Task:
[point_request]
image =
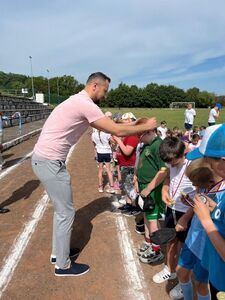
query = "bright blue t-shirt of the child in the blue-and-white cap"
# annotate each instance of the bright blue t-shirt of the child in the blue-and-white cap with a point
(211, 259)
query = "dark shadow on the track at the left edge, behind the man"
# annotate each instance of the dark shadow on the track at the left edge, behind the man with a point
(23, 192)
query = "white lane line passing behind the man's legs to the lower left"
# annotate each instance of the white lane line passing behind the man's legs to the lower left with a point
(22, 240)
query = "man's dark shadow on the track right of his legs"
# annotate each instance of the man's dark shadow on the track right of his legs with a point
(82, 226)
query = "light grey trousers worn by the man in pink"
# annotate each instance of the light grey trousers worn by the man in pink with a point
(56, 181)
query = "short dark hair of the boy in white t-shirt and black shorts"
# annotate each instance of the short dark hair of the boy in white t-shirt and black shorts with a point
(171, 148)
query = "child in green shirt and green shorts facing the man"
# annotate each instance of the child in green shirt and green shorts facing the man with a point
(150, 174)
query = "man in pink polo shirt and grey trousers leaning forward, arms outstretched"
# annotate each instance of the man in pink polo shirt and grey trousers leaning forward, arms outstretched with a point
(63, 128)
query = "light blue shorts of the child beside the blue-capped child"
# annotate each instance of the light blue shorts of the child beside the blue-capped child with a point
(189, 261)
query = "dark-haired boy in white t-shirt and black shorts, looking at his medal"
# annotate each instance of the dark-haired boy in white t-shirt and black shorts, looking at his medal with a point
(172, 151)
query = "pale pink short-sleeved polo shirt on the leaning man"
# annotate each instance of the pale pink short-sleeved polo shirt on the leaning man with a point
(65, 126)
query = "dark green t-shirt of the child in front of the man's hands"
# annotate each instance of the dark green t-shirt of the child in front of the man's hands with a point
(149, 161)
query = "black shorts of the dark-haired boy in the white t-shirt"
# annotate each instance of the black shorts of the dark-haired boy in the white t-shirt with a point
(170, 223)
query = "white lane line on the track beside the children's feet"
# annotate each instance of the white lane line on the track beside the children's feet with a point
(135, 277)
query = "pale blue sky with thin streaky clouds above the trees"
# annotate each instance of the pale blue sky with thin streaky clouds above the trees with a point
(170, 42)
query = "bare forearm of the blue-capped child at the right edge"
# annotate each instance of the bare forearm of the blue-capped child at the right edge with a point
(203, 213)
